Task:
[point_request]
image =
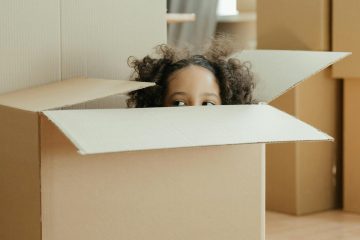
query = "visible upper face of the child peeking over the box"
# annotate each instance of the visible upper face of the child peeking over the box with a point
(192, 86)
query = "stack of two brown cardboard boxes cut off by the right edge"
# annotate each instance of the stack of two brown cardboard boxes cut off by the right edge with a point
(346, 37)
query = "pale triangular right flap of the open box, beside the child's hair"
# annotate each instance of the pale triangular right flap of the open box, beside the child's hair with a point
(277, 71)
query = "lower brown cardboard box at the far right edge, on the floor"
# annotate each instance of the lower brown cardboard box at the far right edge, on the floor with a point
(351, 145)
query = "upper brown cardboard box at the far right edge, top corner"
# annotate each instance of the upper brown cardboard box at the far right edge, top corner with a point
(346, 36)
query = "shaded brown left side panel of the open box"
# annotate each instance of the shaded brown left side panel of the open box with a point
(19, 175)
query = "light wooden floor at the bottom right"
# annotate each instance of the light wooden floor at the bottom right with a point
(332, 225)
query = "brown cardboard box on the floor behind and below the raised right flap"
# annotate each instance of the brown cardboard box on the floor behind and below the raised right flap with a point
(309, 179)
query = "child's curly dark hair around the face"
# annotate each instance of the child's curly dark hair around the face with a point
(234, 78)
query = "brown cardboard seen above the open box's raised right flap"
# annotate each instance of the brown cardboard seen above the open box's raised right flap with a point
(297, 24)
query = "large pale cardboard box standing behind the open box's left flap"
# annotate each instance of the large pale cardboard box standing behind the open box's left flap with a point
(43, 41)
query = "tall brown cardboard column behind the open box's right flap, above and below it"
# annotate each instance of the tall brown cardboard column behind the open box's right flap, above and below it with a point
(301, 177)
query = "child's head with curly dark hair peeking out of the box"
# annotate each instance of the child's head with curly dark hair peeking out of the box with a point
(188, 80)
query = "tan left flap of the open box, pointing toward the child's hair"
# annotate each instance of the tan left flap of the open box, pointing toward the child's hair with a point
(67, 93)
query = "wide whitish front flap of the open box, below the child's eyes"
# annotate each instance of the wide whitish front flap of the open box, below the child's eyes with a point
(116, 130)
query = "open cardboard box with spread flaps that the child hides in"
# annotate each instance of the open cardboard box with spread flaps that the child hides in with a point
(155, 173)
